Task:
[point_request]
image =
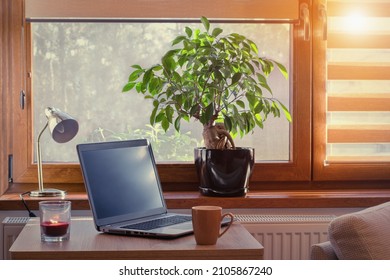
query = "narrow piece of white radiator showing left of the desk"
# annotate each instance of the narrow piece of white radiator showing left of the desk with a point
(11, 228)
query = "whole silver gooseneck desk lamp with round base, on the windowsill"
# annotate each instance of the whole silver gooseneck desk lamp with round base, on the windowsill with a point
(62, 129)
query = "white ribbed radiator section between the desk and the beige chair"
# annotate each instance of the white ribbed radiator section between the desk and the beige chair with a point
(287, 237)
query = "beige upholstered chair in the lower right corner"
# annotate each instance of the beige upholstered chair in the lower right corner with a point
(363, 235)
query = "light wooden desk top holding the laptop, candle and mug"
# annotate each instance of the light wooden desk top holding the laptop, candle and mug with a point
(86, 243)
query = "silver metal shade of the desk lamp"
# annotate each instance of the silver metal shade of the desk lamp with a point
(61, 125)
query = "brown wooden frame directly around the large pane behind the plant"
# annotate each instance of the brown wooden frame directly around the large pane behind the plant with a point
(297, 169)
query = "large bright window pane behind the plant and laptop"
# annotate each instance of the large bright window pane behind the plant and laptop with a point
(81, 68)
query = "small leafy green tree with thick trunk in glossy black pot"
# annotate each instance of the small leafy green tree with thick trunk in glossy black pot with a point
(221, 81)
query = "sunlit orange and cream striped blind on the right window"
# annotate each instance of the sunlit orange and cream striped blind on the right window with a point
(358, 81)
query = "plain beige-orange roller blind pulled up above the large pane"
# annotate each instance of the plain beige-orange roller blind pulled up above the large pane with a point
(161, 9)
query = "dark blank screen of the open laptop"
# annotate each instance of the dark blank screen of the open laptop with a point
(121, 179)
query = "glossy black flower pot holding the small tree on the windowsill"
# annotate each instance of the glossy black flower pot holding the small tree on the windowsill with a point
(224, 172)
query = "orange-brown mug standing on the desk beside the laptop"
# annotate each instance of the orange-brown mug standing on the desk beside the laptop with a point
(206, 221)
